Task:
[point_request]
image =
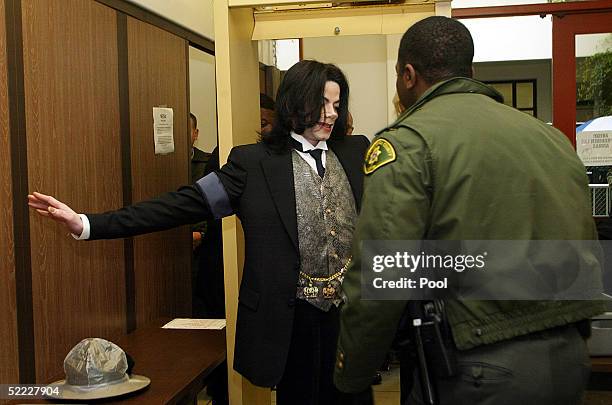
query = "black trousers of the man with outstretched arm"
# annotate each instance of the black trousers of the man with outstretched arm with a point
(308, 376)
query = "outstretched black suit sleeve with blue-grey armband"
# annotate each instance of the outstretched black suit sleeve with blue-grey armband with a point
(211, 197)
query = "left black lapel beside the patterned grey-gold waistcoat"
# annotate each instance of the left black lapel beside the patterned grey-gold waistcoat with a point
(278, 171)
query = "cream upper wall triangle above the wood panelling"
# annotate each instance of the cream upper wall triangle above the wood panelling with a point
(196, 15)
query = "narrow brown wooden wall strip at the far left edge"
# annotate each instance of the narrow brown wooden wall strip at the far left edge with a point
(9, 364)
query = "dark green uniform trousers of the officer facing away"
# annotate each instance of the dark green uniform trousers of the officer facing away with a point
(550, 367)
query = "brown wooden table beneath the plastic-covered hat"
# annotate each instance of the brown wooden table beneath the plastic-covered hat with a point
(178, 362)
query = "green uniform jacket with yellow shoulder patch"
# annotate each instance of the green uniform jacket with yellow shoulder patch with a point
(460, 165)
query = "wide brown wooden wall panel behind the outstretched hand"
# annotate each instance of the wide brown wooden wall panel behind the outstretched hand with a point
(72, 123)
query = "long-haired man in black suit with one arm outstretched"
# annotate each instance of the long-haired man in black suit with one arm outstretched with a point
(297, 193)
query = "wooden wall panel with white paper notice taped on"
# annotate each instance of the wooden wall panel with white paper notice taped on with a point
(157, 71)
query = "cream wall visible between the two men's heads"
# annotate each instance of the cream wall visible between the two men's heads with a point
(363, 61)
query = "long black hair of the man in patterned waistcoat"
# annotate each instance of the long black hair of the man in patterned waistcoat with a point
(300, 99)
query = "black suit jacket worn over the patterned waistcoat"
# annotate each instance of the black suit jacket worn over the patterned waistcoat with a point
(259, 185)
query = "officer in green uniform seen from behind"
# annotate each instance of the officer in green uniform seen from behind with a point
(460, 165)
